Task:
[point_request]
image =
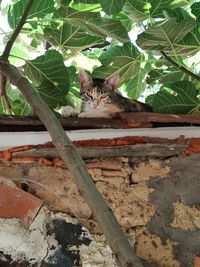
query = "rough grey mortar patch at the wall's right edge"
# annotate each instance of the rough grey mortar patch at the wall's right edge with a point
(181, 184)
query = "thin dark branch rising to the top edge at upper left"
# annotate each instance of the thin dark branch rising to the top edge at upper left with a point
(17, 30)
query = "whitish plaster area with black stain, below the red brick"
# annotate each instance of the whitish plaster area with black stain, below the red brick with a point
(53, 240)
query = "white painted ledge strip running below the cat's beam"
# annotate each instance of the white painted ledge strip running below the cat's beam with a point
(13, 139)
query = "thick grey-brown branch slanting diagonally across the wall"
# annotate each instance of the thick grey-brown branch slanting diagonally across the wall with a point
(114, 234)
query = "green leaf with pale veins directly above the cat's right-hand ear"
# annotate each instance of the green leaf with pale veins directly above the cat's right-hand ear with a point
(124, 60)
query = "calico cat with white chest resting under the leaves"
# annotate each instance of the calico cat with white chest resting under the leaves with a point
(100, 99)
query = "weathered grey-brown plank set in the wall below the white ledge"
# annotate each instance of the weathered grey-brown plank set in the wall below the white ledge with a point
(138, 150)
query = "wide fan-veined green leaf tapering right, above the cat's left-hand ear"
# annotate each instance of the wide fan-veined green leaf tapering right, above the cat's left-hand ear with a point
(70, 37)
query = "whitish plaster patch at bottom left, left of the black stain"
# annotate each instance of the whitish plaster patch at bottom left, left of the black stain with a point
(30, 245)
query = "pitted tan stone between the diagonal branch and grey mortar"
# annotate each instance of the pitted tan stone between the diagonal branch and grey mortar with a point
(131, 208)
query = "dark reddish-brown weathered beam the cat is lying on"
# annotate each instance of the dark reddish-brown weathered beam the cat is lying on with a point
(124, 120)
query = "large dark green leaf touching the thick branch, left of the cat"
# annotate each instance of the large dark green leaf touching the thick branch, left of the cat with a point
(50, 77)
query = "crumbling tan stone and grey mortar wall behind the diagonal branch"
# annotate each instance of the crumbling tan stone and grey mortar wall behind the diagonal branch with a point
(155, 200)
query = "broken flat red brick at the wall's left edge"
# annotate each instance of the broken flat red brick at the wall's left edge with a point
(16, 203)
